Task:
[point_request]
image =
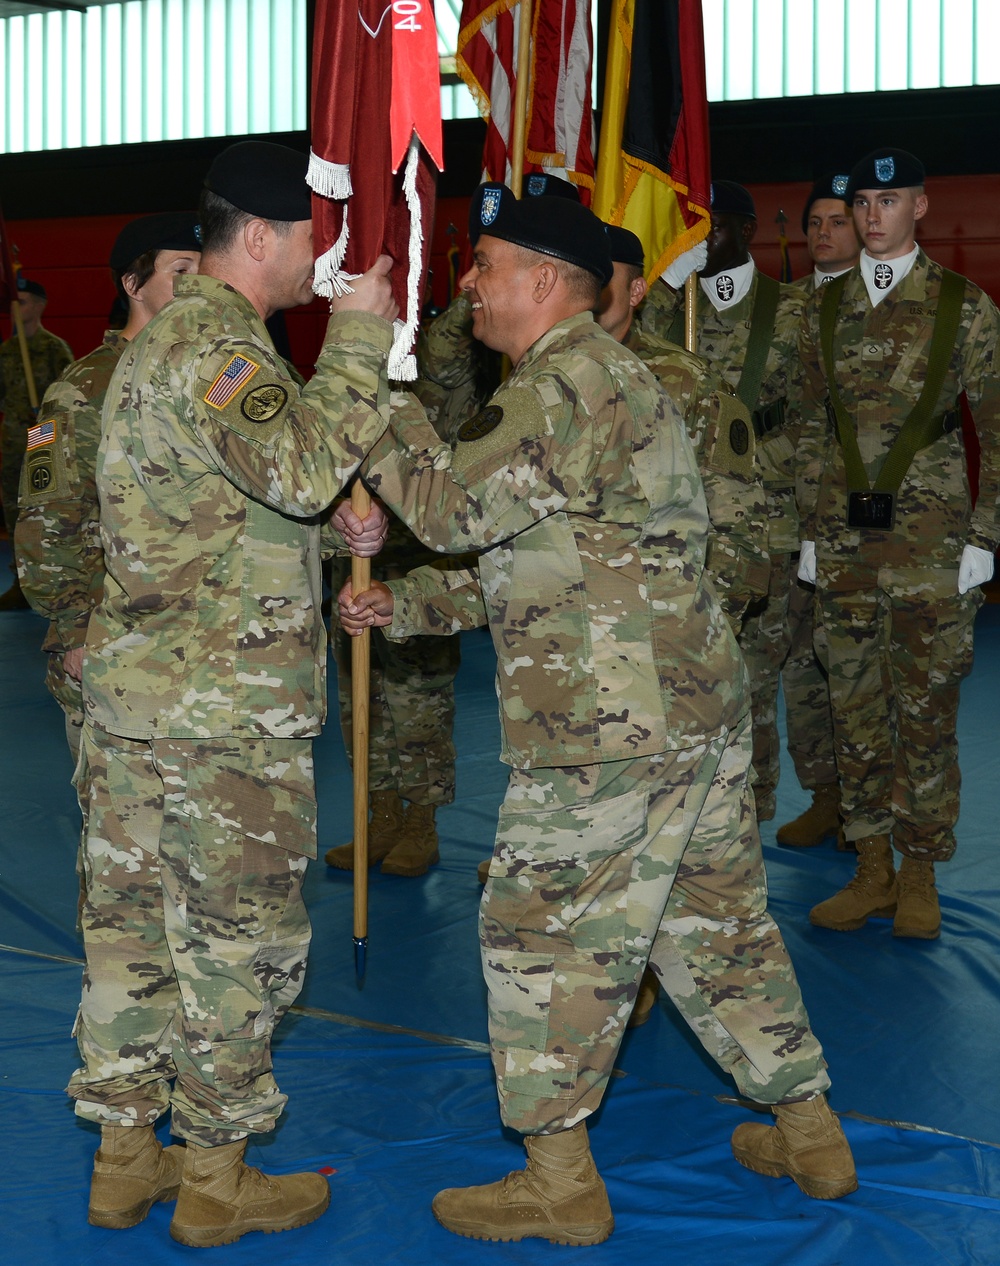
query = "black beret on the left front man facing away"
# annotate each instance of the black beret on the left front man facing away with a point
(263, 179)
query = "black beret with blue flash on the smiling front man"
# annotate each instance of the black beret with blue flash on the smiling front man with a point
(551, 226)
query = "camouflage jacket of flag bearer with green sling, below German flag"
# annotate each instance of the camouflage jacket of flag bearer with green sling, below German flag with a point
(722, 340)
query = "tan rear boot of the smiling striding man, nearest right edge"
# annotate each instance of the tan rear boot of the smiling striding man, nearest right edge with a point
(806, 1145)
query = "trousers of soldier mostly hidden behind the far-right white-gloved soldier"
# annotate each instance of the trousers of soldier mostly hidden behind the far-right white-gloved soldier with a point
(808, 718)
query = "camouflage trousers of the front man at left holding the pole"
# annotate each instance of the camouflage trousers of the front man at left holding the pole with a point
(194, 927)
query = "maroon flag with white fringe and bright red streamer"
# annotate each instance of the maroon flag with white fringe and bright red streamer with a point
(377, 110)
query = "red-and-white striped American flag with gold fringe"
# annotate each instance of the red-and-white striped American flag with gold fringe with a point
(559, 127)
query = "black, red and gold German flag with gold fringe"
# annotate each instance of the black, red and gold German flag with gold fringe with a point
(654, 168)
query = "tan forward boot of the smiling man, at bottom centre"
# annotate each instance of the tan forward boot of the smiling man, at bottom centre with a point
(560, 1197)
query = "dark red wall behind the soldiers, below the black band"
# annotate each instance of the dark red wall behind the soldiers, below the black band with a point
(68, 256)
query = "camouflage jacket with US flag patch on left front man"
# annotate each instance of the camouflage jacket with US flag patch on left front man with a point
(213, 470)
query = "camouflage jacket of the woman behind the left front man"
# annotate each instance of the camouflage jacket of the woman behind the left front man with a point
(60, 556)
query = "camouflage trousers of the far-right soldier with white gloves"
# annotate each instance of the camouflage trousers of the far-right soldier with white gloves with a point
(897, 656)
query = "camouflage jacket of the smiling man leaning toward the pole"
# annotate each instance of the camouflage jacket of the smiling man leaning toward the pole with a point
(579, 486)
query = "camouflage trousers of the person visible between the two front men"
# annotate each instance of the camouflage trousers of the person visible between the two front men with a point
(411, 717)
